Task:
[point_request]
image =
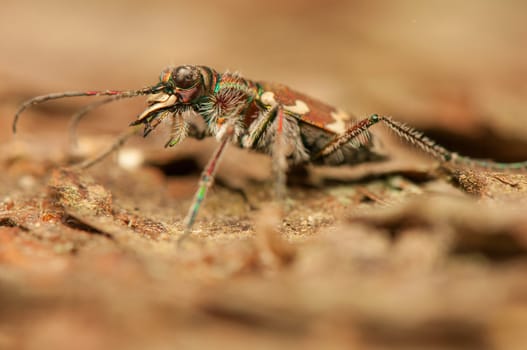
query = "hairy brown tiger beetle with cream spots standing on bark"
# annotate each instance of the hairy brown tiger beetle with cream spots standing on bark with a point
(266, 117)
